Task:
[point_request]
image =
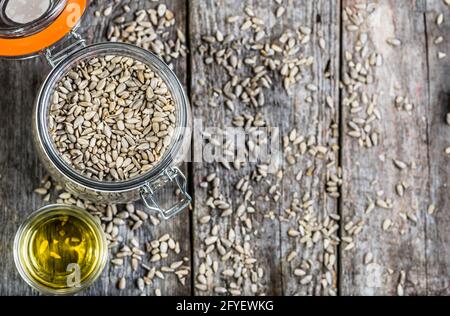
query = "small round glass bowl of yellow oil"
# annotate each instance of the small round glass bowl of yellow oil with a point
(55, 263)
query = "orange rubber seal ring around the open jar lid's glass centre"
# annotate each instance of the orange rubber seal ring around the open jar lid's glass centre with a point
(35, 40)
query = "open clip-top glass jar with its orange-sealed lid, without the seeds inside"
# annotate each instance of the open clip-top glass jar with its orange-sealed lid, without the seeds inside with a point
(62, 56)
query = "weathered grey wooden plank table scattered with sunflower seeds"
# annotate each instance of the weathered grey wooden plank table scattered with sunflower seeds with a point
(418, 243)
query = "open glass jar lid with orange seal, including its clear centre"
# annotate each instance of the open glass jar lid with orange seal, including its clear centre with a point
(29, 26)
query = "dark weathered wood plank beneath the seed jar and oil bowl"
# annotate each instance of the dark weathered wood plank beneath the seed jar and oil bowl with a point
(21, 171)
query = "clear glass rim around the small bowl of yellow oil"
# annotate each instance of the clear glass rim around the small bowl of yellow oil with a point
(77, 212)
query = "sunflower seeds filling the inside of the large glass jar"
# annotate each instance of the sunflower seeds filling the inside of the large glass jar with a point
(112, 118)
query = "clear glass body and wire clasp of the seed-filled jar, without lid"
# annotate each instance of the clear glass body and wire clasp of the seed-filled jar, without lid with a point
(145, 186)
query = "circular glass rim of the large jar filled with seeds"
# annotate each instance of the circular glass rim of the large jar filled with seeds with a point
(121, 49)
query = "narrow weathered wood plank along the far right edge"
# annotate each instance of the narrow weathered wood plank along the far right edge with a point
(437, 225)
